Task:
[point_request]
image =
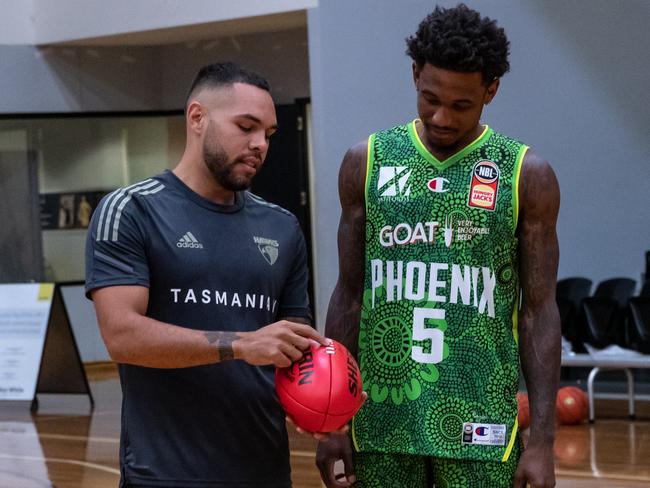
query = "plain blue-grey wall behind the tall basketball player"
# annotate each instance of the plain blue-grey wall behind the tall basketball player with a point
(577, 93)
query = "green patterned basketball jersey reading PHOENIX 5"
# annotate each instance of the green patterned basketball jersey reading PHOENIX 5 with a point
(438, 333)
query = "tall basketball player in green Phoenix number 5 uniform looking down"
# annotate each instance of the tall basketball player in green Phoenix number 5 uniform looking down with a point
(448, 258)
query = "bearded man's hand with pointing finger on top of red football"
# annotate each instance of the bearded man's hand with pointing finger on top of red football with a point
(280, 343)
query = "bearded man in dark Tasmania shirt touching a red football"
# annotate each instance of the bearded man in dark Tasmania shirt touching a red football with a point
(200, 288)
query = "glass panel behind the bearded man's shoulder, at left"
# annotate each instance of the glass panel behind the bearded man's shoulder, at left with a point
(79, 160)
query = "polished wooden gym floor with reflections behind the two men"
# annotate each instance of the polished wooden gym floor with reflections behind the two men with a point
(64, 446)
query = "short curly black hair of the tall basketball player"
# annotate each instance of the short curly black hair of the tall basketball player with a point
(459, 39)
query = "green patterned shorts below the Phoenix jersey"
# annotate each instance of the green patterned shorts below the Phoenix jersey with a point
(380, 470)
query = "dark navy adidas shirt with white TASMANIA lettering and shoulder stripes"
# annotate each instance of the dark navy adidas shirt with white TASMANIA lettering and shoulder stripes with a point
(207, 267)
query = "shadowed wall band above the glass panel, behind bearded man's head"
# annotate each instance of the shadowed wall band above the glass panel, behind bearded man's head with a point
(136, 78)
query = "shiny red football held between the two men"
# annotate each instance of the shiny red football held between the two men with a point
(322, 391)
